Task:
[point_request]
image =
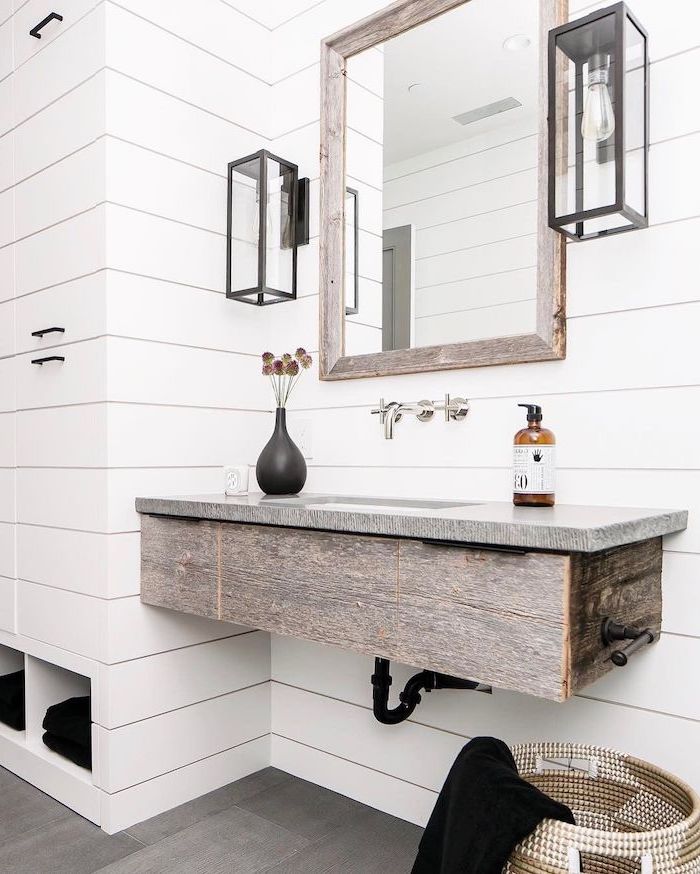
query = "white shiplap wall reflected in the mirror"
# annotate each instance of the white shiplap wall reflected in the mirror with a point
(473, 205)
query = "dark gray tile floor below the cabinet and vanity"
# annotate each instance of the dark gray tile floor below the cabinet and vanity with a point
(268, 822)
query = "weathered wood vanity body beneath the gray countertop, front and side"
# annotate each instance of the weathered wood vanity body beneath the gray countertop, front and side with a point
(530, 622)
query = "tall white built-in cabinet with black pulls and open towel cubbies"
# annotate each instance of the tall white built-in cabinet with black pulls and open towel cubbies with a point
(180, 705)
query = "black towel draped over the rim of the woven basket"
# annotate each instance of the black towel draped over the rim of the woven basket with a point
(483, 811)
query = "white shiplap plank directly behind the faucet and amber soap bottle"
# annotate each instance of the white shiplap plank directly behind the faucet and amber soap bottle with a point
(341, 433)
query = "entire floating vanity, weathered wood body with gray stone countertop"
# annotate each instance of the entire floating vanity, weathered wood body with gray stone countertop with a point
(512, 597)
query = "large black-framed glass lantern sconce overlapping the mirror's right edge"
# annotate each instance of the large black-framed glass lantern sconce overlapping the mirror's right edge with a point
(598, 116)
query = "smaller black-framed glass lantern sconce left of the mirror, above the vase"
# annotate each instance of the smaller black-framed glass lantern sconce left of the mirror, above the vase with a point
(268, 219)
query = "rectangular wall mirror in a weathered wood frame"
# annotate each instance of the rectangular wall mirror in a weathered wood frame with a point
(433, 114)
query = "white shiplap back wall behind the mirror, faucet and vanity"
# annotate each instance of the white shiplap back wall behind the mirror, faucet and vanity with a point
(624, 408)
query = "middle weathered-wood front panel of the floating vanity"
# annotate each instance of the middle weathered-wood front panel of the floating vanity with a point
(333, 588)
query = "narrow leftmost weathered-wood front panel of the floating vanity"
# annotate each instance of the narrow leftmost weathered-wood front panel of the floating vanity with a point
(179, 565)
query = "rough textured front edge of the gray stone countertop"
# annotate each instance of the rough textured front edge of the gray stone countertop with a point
(530, 534)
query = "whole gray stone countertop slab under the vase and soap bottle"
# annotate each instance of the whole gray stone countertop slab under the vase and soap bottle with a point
(566, 527)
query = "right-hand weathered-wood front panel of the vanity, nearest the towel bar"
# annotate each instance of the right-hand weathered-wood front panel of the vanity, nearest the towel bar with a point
(490, 616)
